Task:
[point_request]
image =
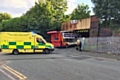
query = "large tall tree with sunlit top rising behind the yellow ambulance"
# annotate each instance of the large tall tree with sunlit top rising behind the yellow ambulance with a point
(46, 15)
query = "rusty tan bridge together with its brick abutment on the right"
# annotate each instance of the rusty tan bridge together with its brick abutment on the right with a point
(88, 27)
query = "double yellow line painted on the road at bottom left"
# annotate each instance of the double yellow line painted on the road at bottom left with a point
(15, 73)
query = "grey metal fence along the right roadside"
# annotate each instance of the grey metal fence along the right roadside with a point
(103, 44)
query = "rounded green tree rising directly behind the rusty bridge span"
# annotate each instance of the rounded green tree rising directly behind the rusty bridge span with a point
(82, 11)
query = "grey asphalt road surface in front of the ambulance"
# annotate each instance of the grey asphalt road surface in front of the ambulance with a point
(63, 64)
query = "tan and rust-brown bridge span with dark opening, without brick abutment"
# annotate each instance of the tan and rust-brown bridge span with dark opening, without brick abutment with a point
(79, 27)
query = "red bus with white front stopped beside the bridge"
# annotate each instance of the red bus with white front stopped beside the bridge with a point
(62, 38)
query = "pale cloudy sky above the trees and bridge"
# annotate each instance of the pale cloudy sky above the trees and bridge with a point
(18, 7)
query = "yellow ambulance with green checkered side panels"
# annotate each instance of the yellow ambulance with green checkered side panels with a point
(22, 42)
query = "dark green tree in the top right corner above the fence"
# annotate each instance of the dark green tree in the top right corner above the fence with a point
(108, 11)
